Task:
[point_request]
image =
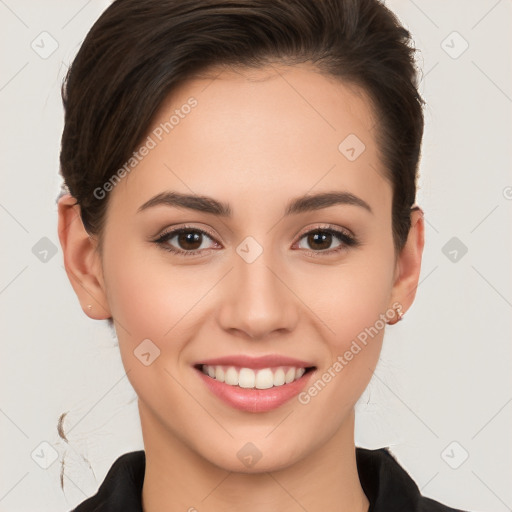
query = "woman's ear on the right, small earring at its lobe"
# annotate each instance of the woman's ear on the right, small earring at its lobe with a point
(408, 263)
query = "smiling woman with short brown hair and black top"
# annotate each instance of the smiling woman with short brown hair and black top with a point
(241, 180)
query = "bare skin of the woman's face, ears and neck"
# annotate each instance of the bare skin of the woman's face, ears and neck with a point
(255, 140)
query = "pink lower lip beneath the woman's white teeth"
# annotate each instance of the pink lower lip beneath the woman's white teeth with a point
(255, 400)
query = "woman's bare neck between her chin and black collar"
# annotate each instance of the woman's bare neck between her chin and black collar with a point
(179, 479)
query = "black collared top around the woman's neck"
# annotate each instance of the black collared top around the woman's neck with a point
(388, 487)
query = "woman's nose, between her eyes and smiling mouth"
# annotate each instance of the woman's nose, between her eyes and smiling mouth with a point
(257, 300)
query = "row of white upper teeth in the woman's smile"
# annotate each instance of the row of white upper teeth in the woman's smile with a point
(248, 378)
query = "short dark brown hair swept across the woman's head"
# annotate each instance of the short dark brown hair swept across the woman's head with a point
(138, 51)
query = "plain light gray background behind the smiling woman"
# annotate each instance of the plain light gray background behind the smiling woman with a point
(444, 375)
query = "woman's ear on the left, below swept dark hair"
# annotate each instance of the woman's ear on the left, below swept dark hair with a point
(82, 260)
